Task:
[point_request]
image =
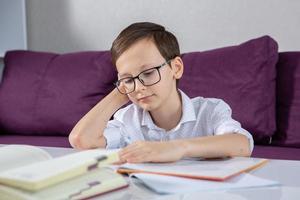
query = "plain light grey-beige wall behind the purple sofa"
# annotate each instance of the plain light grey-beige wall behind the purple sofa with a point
(75, 25)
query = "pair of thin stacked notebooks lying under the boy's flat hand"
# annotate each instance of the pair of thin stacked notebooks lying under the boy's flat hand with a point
(203, 175)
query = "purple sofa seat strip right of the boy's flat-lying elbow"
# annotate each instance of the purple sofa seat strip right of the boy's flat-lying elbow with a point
(276, 152)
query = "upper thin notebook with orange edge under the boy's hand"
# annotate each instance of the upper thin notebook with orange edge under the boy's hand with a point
(215, 170)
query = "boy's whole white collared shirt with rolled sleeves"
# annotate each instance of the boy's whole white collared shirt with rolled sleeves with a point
(201, 117)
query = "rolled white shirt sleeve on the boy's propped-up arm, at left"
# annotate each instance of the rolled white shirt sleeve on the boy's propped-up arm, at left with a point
(113, 134)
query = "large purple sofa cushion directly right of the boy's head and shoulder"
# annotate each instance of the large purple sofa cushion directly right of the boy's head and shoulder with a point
(243, 76)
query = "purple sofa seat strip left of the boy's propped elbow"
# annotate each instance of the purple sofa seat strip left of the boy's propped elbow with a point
(49, 141)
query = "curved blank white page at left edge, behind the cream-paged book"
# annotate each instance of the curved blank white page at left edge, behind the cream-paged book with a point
(13, 156)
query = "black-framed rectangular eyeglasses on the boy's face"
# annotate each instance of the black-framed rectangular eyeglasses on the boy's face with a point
(147, 77)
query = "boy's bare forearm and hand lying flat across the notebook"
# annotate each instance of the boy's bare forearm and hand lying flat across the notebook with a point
(231, 144)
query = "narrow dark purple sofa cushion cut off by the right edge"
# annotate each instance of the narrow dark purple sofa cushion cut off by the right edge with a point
(288, 100)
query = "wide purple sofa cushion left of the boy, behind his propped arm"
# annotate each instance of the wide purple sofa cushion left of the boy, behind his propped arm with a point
(46, 93)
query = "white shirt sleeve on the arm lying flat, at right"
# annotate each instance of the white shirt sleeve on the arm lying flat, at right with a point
(223, 123)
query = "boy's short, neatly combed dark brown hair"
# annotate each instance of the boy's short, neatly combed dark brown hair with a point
(165, 41)
